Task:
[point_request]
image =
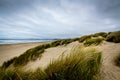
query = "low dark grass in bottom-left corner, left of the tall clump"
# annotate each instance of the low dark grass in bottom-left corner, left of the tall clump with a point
(16, 74)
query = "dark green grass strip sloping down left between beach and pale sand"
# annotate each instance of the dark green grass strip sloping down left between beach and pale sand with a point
(30, 55)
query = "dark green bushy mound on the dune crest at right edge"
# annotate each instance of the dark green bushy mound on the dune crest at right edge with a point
(113, 37)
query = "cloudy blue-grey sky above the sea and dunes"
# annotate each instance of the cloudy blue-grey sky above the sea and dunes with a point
(22, 19)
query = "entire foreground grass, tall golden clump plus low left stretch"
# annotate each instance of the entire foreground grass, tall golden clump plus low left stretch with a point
(81, 64)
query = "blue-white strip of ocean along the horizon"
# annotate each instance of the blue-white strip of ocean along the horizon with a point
(15, 41)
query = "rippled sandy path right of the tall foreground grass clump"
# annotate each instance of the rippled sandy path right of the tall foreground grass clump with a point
(109, 70)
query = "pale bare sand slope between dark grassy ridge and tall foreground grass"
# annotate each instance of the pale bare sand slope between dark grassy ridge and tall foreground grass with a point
(51, 54)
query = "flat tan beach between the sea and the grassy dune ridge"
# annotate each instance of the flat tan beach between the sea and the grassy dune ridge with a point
(9, 51)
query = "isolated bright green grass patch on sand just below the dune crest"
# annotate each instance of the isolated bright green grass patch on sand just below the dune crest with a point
(93, 41)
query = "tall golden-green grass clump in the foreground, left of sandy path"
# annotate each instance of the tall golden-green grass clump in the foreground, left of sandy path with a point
(79, 65)
